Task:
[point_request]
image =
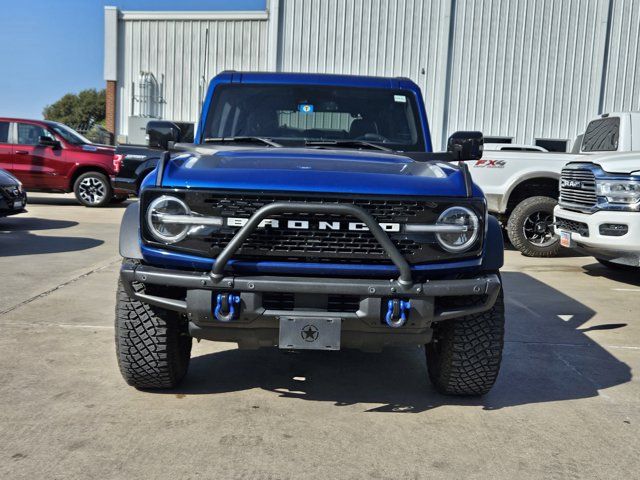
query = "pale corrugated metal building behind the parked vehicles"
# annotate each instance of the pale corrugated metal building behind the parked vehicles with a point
(525, 71)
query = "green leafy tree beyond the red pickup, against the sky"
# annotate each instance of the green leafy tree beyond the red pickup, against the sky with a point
(76, 110)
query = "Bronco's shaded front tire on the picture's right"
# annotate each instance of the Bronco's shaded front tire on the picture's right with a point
(464, 355)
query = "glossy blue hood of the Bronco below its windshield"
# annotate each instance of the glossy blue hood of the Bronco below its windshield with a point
(312, 170)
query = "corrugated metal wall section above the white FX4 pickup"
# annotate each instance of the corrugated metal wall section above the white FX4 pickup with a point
(526, 68)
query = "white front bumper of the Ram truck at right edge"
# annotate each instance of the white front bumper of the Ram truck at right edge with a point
(621, 249)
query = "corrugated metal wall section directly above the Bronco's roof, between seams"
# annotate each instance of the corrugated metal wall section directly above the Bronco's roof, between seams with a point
(405, 38)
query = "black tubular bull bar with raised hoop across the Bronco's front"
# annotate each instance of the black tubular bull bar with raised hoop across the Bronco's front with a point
(487, 285)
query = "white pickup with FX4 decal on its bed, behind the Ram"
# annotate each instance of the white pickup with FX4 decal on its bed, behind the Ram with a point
(521, 184)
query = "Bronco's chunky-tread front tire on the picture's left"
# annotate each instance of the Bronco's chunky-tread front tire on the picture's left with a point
(152, 345)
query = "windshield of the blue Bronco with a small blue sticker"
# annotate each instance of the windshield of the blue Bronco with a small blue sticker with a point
(295, 114)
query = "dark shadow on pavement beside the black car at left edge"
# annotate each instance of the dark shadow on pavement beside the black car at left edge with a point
(16, 238)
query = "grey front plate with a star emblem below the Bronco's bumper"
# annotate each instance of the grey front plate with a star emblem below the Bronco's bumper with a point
(310, 333)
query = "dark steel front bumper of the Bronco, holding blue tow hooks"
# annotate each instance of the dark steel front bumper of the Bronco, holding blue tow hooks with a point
(193, 294)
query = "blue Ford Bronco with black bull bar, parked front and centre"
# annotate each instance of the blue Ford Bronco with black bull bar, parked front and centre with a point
(311, 213)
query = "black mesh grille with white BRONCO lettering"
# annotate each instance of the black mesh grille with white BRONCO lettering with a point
(313, 244)
